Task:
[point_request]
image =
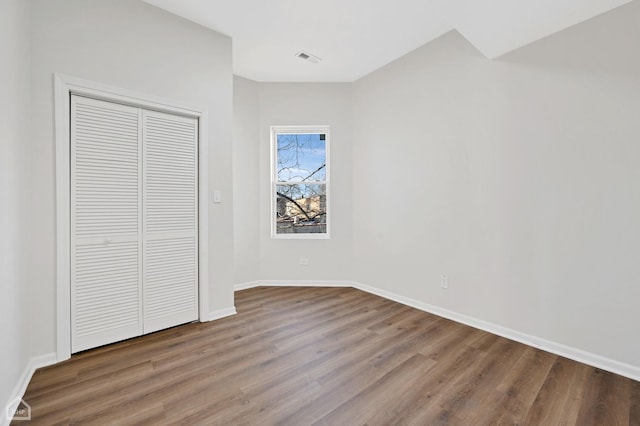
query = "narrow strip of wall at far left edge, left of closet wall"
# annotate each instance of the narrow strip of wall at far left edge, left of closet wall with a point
(14, 190)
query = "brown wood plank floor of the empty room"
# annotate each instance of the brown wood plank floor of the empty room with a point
(327, 356)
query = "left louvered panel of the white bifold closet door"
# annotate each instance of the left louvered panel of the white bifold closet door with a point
(105, 223)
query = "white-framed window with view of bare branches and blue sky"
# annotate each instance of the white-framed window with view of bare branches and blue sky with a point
(300, 182)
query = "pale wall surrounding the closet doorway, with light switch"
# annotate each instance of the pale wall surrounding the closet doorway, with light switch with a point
(132, 45)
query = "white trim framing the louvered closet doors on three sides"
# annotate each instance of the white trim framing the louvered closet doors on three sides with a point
(64, 86)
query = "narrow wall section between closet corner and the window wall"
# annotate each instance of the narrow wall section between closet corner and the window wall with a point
(246, 164)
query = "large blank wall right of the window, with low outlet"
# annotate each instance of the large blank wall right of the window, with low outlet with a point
(518, 178)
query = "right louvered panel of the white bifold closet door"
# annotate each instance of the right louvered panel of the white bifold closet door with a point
(170, 220)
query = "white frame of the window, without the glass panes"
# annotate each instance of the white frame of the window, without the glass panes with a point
(275, 131)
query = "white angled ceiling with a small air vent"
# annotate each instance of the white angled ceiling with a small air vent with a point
(356, 37)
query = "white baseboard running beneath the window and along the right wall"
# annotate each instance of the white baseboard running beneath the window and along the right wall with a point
(594, 360)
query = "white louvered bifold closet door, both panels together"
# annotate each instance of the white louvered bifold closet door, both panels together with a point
(133, 221)
